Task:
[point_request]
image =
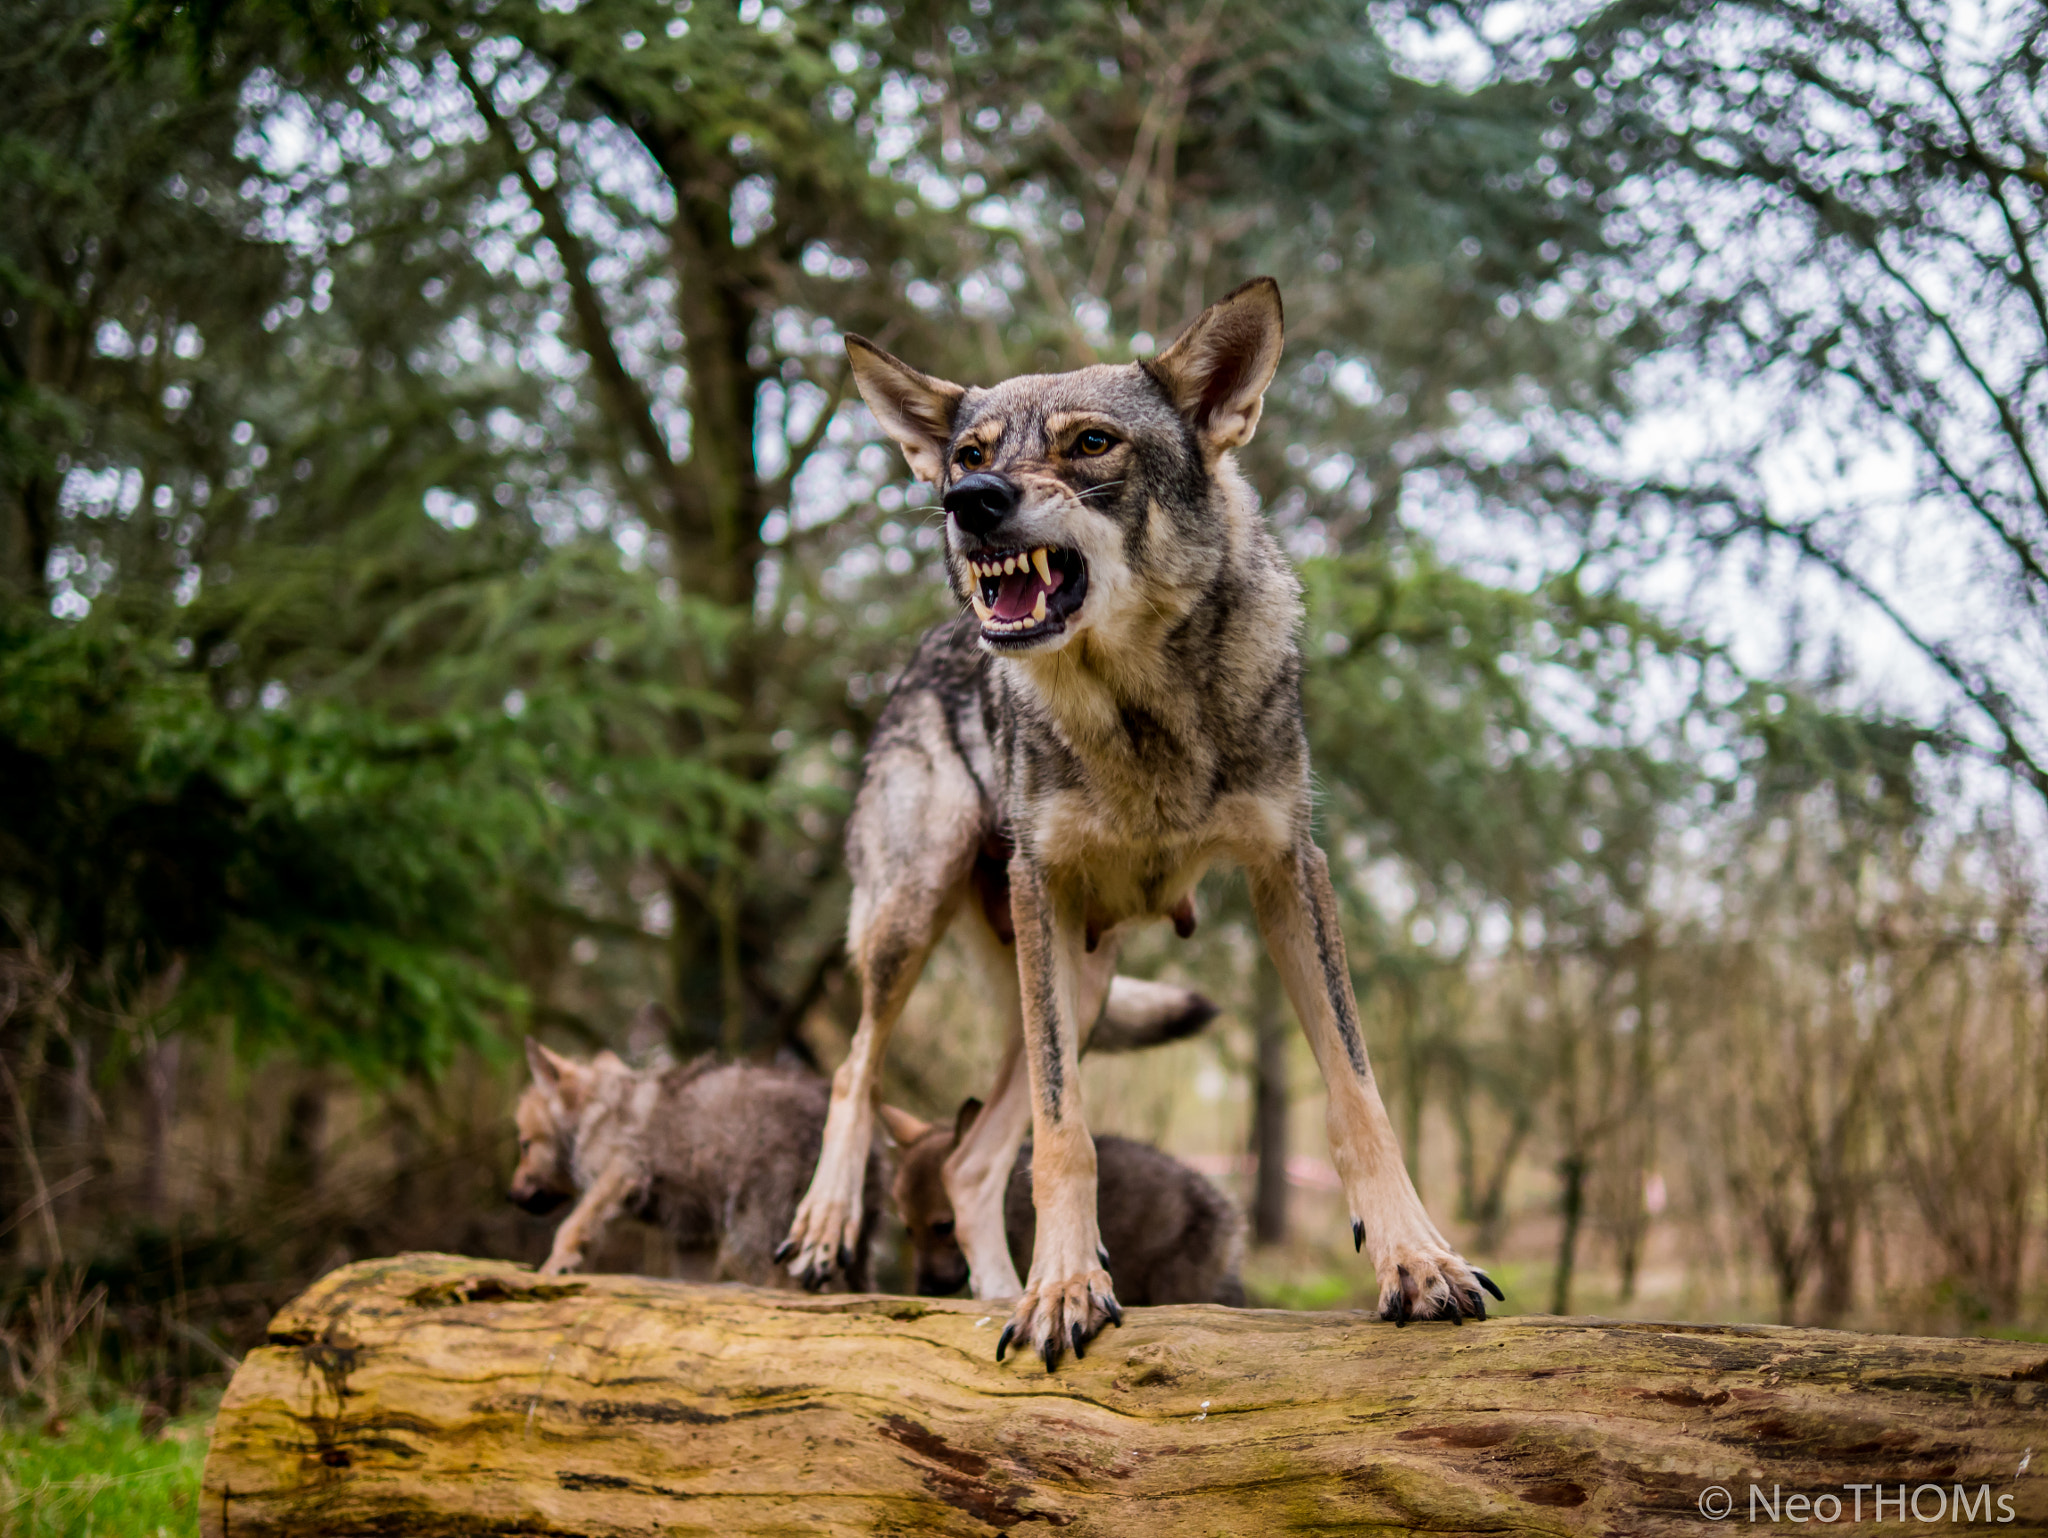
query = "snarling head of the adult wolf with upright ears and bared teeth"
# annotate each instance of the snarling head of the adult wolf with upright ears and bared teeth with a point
(1093, 501)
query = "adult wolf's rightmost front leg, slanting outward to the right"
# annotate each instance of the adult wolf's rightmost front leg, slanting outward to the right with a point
(1420, 1275)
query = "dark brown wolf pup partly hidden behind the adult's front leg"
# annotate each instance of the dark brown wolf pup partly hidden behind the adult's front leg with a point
(1172, 1236)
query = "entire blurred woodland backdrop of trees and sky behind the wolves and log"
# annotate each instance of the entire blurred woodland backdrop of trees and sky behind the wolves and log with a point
(447, 587)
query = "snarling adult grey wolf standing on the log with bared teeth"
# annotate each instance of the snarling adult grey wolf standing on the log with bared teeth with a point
(1119, 712)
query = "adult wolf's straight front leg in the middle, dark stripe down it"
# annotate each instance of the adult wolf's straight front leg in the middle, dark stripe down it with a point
(1068, 1297)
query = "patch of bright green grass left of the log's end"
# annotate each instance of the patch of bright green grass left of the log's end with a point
(103, 1478)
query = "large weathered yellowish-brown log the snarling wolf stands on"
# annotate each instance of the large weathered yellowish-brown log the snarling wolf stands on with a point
(435, 1396)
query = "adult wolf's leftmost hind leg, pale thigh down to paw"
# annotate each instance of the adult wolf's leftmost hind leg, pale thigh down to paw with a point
(910, 845)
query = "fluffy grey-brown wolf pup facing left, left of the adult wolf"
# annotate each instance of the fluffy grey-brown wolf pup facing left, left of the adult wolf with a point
(716, 1156)
